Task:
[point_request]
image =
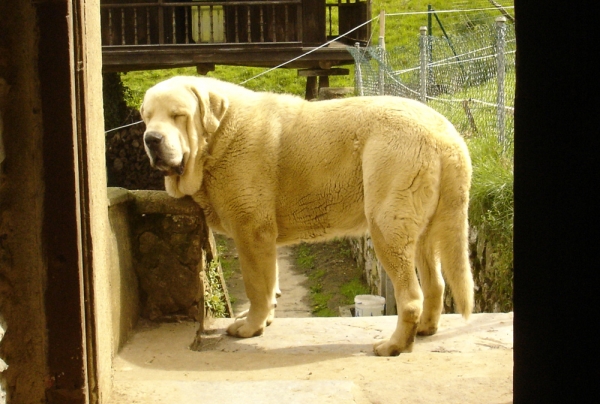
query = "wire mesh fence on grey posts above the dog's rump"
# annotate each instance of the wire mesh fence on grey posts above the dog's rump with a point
(468, 76)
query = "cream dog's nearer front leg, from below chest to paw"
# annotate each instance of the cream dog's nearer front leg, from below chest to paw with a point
(258, 257)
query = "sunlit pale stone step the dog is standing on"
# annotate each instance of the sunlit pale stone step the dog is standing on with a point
(318, 360)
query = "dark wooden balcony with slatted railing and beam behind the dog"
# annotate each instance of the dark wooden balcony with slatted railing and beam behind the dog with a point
(155, 34)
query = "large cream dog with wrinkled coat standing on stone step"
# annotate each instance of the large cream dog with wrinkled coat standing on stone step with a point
(272, 169)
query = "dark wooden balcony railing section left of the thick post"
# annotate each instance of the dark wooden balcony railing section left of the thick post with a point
(201, 22)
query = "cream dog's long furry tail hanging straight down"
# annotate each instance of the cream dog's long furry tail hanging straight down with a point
(449, 226)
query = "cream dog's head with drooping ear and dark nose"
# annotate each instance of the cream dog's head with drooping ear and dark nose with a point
(181, 114)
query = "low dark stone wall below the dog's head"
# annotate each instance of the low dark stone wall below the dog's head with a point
(170, 250)
